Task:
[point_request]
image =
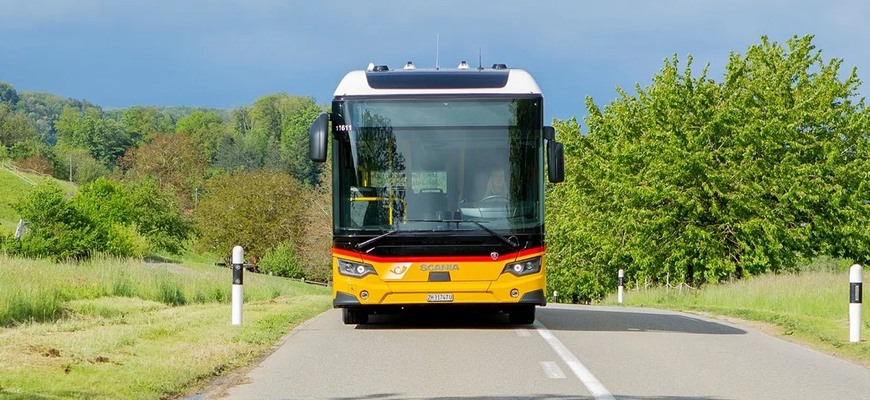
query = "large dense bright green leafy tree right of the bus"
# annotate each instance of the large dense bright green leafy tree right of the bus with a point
(698, 181)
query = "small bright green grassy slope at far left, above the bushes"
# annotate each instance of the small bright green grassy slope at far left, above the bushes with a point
(16, 184)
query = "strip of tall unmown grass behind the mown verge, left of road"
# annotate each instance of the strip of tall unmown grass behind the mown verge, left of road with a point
(37, 291)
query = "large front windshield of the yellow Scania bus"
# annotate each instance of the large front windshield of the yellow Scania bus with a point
(434, 163)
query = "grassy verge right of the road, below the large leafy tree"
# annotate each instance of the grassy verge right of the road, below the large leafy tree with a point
(811, 307)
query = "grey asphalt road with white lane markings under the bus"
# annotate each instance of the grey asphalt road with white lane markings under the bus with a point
(572, 352)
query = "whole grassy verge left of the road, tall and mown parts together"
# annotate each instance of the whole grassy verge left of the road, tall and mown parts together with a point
(123, 329)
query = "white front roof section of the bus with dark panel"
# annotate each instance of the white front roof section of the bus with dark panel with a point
(380, 81)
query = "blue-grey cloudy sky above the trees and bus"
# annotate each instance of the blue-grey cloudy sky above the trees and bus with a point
(227, 53)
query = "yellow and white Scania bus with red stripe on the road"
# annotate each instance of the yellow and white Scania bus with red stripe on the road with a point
(438, 189)
